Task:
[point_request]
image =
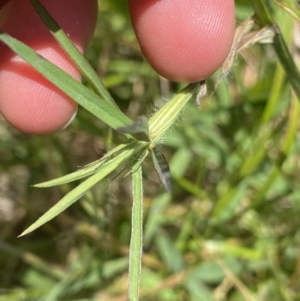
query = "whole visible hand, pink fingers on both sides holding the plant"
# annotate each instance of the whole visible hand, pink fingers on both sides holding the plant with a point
(183, 41)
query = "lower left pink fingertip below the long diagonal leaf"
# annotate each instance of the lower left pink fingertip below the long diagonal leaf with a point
(34, 105)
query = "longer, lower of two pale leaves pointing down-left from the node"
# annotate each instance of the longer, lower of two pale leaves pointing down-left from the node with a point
(82, 188)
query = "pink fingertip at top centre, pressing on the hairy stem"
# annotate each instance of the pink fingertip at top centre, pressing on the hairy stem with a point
(184, 41)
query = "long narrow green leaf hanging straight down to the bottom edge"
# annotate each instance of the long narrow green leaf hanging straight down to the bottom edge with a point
(136, 242)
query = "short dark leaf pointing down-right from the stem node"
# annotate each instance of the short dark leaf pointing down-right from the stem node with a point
(162, 167)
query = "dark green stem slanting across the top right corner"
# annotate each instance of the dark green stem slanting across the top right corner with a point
(264, 18)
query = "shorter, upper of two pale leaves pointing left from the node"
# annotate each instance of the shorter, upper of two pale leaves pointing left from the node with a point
(86, 171)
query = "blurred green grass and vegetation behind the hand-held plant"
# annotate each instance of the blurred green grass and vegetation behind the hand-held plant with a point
(230, 231)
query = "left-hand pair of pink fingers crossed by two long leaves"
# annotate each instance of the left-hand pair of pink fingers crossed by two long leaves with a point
(28, 101)
